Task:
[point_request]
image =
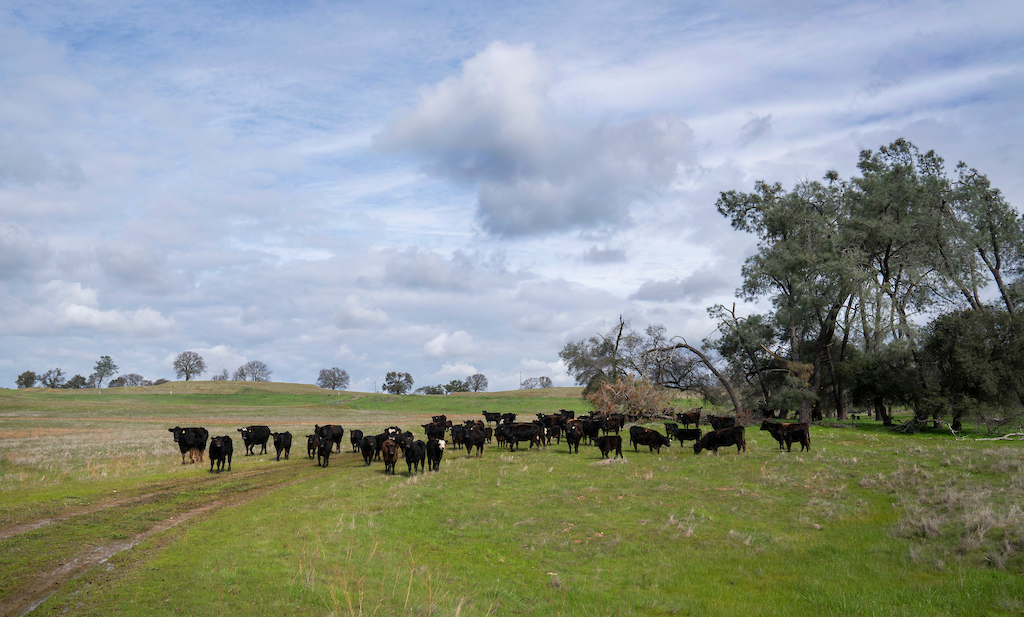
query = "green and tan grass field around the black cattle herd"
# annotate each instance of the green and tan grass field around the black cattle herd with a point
(99, 517)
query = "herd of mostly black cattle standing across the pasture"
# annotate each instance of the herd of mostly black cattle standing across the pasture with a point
(599, 430)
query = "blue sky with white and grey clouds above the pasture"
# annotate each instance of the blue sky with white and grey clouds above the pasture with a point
(441, 189)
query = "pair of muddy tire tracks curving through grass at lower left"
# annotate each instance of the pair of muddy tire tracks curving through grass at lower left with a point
(40, 588)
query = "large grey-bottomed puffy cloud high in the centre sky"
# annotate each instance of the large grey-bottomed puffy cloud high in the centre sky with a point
(497, 127)
